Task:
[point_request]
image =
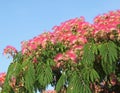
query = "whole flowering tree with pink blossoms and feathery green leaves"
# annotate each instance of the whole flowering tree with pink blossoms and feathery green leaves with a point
(75, 57)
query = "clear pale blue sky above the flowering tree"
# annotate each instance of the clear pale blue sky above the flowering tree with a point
(23, 19)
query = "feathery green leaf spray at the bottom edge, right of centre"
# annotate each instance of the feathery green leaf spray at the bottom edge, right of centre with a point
(77, 84)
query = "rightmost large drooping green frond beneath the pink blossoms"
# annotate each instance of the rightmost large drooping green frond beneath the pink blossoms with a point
(108, 53)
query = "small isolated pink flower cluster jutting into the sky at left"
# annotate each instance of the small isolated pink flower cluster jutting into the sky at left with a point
(10, 50)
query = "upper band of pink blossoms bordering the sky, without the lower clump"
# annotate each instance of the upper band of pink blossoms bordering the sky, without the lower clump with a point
(76, 30)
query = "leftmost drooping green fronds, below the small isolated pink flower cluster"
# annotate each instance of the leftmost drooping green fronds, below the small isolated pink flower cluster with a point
(13, 71)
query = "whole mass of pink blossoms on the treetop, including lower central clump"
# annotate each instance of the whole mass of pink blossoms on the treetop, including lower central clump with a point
(75, 33)
